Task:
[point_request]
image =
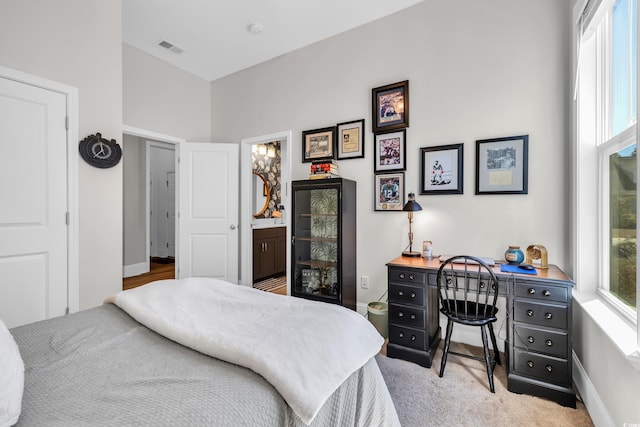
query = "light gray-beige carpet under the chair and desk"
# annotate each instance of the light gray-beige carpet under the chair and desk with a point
(462, 397)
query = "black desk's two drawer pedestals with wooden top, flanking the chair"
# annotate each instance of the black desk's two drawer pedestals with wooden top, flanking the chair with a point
(538, 344)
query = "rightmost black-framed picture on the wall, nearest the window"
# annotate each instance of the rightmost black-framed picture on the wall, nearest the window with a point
(502, 165)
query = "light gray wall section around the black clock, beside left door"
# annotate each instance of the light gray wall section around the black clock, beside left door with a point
(79, 43)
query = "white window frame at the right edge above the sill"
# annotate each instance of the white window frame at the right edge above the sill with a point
(592, 149)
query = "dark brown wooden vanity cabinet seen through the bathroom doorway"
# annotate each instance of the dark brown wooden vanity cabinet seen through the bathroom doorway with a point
(269, 252)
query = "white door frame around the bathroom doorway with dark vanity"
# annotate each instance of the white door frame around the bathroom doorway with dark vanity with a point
(246, 214)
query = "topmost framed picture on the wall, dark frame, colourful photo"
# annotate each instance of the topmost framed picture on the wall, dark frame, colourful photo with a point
(390, 107)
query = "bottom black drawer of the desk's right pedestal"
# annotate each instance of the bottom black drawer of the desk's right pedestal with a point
(549, 369)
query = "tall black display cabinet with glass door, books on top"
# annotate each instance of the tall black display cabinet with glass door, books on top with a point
(323, 244)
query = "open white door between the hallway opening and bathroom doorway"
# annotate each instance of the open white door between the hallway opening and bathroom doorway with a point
(208, 211)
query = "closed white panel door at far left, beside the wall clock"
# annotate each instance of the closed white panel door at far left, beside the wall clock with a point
(33, 203)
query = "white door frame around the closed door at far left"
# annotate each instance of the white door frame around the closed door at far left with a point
(71, 95)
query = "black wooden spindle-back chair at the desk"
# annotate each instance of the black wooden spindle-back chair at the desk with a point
(468, 291)
